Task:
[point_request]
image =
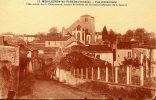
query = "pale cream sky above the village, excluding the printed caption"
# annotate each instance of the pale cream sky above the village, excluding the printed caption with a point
(19, 18)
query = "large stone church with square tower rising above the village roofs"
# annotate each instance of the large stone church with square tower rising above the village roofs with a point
(82, 29)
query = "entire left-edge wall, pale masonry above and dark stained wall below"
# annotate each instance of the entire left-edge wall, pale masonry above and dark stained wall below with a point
(9, 70)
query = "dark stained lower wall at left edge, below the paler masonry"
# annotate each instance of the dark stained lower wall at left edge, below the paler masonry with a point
(9, 78)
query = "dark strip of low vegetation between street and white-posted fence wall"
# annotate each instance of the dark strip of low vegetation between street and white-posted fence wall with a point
(116, 91)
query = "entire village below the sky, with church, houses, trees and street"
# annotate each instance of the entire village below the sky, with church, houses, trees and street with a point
(79, 62)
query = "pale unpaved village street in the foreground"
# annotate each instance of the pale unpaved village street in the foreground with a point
(55, 90)
